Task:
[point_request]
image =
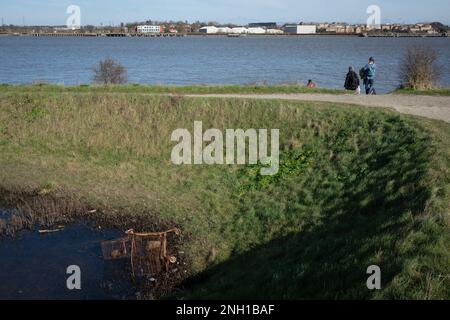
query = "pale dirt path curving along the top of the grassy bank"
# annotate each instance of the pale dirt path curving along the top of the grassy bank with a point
(433, 107)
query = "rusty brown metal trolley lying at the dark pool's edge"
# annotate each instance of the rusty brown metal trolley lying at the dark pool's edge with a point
(148, 252)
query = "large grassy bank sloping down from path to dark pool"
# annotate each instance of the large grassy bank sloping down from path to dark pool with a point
(356, 187)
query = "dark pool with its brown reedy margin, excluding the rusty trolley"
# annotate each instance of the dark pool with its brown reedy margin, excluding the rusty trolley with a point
(34, 264)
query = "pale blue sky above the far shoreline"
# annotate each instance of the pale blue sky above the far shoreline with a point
(53, 12)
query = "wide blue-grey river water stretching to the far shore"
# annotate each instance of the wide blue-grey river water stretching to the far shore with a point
(210, 60)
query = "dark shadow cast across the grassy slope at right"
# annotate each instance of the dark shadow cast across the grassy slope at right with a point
(365, 224)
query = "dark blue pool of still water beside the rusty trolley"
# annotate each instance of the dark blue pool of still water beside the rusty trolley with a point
(33, 265)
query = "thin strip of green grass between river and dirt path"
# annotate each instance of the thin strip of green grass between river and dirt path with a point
(172, 89)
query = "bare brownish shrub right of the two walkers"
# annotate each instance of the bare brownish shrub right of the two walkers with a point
(419, 69)
